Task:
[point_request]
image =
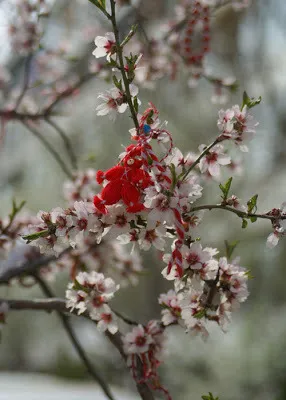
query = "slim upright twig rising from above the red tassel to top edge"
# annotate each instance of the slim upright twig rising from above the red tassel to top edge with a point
(121, 65)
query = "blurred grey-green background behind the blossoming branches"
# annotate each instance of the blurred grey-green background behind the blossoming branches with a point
(246, 363)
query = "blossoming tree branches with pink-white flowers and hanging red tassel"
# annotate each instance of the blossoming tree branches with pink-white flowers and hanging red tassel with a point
(147, 198)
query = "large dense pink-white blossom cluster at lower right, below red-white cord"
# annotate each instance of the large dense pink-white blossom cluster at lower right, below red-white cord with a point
(211, 289)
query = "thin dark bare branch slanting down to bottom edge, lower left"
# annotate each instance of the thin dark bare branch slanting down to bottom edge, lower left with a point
(69, 330)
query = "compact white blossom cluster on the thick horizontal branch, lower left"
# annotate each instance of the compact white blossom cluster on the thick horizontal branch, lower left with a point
(91, 293)
